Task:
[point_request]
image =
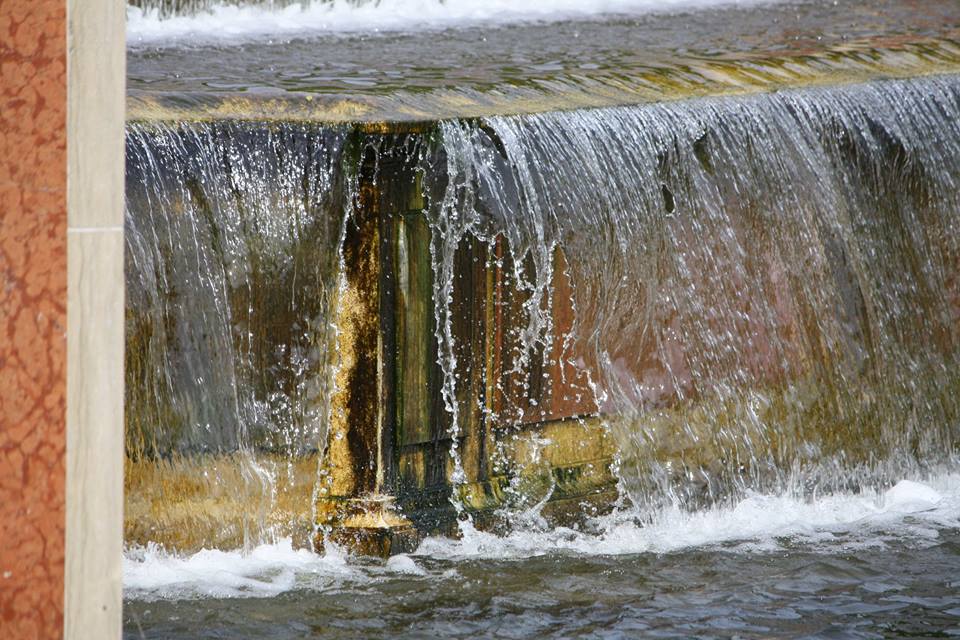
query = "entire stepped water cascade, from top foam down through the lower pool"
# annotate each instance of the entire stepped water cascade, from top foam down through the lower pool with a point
(636, 323)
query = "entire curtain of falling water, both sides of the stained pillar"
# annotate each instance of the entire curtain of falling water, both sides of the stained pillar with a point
(542, 350)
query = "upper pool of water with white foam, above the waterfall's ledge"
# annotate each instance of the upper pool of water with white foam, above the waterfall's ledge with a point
(435, 68)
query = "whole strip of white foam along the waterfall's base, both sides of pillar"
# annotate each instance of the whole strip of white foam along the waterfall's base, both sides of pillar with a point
(911, 512)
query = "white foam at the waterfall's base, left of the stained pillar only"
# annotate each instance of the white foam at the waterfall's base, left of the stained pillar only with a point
(268, 570)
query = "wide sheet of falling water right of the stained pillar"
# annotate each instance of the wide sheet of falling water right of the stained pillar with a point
(765, 288)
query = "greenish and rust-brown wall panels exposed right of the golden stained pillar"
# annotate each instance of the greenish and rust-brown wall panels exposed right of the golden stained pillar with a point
(494, 399)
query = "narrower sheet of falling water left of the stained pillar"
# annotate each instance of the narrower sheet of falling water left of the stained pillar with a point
(232, 243)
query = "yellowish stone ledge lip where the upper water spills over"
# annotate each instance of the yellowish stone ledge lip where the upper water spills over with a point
(406, 112)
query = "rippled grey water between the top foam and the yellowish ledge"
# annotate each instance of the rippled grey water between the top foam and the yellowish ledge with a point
(497, 56)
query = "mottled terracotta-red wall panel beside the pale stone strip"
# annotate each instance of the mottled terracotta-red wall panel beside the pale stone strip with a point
(33, 296)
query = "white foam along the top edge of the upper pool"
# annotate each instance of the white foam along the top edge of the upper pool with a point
(226, 22)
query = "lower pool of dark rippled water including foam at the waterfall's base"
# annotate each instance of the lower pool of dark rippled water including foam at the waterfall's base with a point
(860, 565)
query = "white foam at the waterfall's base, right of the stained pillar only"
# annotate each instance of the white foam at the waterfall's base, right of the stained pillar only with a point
(910, 511)
